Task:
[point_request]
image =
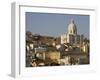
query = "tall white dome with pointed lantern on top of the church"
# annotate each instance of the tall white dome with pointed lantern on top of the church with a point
(72, 28)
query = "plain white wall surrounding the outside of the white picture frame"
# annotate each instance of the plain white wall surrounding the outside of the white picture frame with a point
(5, 40)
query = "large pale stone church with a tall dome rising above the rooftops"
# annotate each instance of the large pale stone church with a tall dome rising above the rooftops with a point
(72, 36)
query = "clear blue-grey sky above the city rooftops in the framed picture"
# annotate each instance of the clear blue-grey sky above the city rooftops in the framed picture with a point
(51, 24)
